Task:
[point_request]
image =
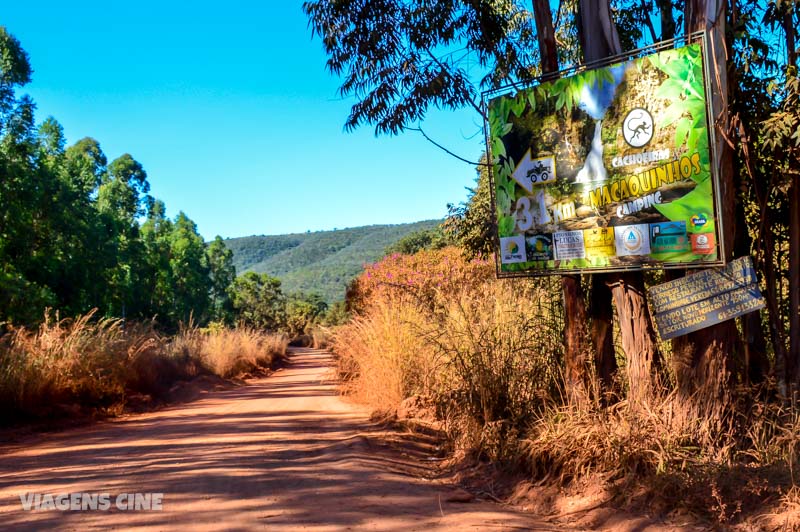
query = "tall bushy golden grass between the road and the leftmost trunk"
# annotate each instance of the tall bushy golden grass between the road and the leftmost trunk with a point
(484, 353)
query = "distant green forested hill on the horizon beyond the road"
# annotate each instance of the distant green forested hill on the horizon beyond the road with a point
(323, 261)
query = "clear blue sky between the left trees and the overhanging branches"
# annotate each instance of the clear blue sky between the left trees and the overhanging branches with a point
(230, 109)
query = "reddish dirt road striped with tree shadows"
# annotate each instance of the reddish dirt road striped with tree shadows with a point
(282, 453)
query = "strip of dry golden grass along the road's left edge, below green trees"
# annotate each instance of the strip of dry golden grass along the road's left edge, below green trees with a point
(95, 364)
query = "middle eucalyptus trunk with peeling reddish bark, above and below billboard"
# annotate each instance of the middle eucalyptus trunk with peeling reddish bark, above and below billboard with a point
(599, 40)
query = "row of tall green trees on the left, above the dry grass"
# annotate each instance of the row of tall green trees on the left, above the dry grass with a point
(71, 235)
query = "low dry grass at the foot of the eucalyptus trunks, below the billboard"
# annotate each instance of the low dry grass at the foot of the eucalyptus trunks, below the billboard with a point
(662, 452)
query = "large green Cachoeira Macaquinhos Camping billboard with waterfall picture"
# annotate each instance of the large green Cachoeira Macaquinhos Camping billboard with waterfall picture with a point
(606, 169)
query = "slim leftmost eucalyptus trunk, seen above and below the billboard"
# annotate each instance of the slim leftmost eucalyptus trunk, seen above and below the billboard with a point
(575, 346)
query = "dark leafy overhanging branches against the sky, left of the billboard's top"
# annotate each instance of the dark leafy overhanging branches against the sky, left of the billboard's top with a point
(398, 58)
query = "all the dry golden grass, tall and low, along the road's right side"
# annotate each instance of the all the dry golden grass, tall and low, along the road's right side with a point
(487, 354)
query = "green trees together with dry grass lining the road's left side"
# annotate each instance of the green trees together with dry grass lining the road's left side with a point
(104, 300)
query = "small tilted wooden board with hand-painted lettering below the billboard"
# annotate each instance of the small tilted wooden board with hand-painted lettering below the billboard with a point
(705, 298)
